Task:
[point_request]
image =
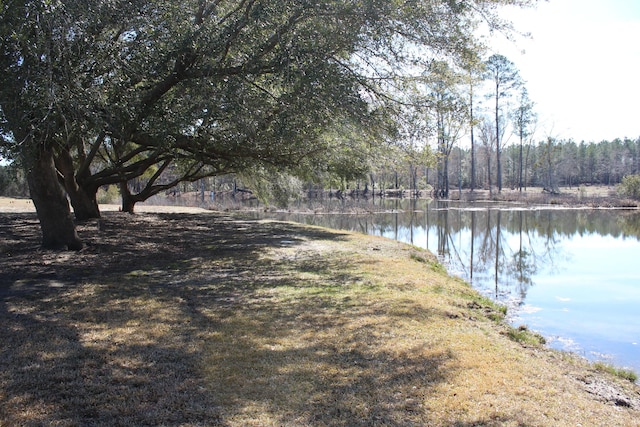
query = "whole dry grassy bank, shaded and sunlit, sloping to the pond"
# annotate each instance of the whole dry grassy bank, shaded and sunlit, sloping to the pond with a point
(206, 319)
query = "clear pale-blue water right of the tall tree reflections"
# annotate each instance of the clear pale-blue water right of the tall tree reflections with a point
(592, 302)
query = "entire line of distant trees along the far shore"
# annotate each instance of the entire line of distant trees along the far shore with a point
(549, 165)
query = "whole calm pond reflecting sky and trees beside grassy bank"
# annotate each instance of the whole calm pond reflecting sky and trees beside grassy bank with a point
(572, 275)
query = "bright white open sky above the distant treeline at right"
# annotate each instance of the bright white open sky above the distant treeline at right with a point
(581, 66)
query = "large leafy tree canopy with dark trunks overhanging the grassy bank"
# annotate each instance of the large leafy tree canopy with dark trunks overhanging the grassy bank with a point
(99, 92)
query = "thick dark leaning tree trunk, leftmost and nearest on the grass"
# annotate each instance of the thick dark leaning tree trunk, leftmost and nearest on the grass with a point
(52, 207)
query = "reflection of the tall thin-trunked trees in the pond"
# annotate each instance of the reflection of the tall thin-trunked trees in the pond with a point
(499, 251)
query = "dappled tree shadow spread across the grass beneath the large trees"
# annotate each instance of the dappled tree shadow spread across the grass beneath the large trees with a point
(183, 320)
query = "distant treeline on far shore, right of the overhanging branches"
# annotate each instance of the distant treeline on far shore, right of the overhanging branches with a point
(548, 164)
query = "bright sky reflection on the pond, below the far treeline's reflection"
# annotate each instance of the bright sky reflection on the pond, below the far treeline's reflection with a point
(584, 292)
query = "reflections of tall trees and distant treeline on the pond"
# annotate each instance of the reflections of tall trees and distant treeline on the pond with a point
(500, 250)
